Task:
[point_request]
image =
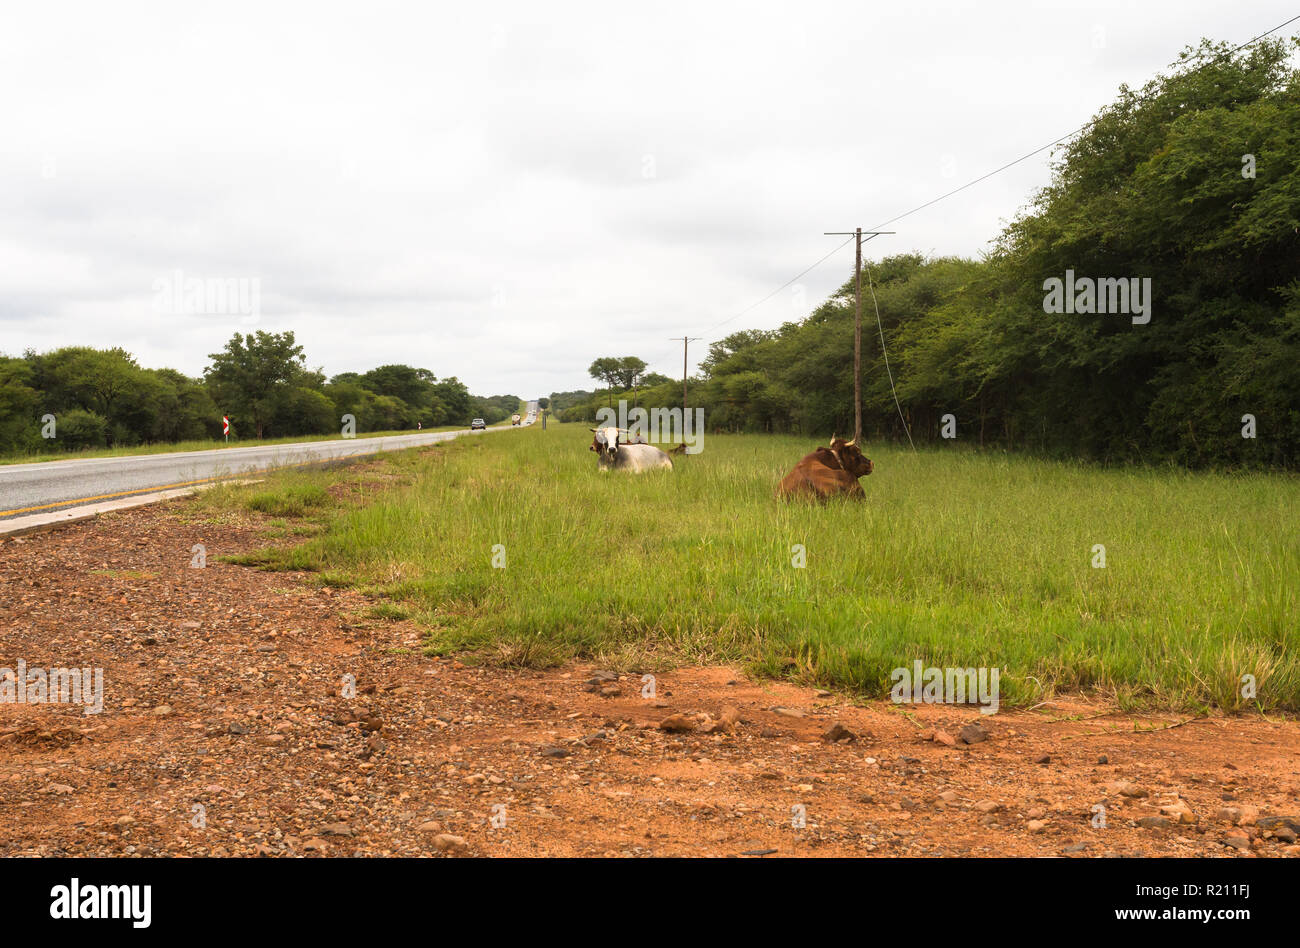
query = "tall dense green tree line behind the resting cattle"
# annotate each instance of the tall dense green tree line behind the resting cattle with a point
(1191, 184)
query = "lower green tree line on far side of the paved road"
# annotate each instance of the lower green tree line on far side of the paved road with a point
(103, 399)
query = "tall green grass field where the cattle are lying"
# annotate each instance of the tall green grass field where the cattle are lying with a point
(956, 559)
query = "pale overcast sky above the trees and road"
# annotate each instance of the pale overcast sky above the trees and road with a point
(509, 192)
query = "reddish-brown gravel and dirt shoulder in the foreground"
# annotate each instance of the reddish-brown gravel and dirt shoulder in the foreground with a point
(228, 730)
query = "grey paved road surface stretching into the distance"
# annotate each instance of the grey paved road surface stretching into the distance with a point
(54, 486)
